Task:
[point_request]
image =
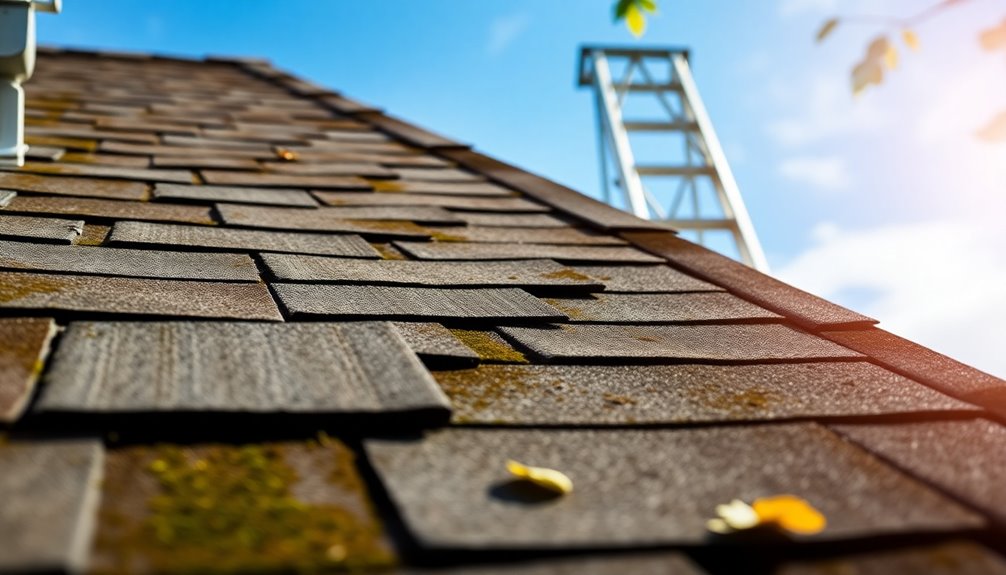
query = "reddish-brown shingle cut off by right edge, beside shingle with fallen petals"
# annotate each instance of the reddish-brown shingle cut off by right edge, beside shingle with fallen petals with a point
(965, 459)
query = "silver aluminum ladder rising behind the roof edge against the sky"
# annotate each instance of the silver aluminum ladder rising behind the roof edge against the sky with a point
(691, 165)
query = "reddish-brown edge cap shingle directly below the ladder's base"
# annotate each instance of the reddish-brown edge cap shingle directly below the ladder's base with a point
(748, 283)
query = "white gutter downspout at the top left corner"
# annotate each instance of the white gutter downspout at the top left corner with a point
(18, 62)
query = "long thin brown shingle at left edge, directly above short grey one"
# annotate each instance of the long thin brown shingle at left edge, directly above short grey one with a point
(110, 210)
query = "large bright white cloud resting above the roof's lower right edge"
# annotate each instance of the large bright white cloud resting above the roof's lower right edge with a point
(940, 284)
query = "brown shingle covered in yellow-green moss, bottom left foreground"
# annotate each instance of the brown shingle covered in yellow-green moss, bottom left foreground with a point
(234, 509)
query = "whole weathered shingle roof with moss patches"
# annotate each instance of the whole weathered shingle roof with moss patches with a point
(251, 324)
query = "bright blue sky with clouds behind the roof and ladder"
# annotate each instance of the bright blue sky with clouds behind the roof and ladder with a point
(886, 203)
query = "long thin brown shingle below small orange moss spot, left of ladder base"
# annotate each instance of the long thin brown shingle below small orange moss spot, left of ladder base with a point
(500, 205)
